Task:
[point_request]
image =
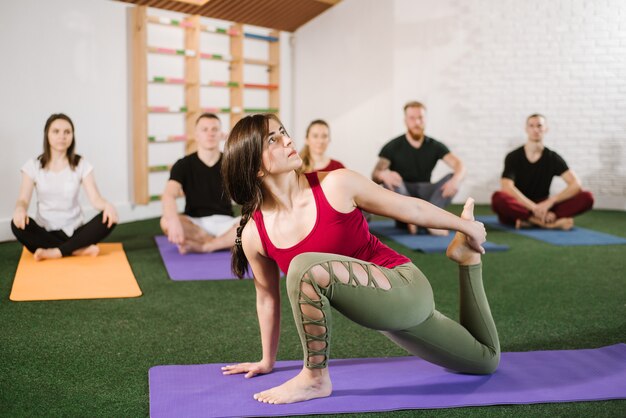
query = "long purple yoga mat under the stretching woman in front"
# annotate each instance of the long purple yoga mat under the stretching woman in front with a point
(386, 384)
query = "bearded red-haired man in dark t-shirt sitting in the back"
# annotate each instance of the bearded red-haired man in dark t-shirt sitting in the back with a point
(406, 163)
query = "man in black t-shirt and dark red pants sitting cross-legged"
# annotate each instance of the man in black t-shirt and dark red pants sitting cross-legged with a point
(524, 198)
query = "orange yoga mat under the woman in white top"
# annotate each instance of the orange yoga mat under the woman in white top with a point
(106, 276)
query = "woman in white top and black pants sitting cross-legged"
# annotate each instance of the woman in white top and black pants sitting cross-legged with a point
(58, 229)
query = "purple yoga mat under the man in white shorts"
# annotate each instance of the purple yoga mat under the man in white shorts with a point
(209, 266)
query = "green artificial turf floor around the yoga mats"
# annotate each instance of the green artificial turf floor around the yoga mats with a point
(91, 357)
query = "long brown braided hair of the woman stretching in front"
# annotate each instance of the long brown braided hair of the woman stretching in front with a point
(241, 165)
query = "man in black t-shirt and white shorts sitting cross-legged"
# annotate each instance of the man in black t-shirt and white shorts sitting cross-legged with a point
(207, 223)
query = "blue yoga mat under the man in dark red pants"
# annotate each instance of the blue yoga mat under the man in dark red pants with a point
(575, 236)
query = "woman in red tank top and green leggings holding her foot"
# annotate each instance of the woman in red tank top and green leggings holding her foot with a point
(310, 227)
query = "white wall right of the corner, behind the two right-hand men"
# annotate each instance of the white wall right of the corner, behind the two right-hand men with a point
(481, 66)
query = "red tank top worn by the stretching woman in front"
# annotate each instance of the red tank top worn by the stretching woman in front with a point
(334, 233)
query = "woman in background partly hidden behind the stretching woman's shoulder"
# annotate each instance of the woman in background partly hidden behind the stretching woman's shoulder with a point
(313, 153)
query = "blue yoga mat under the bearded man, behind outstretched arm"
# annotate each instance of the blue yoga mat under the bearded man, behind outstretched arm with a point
(425, 243)
